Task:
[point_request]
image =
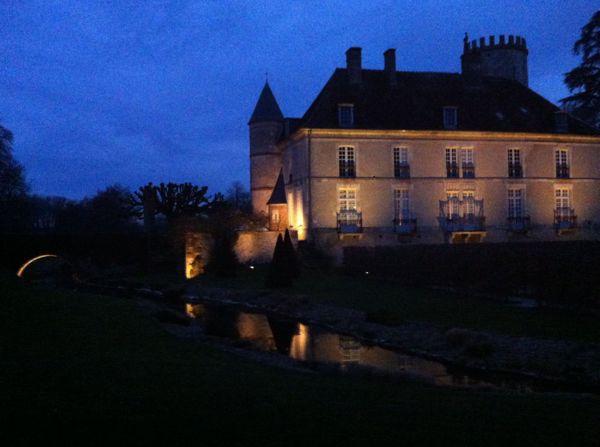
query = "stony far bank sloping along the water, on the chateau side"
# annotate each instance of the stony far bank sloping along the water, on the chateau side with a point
(557, 362)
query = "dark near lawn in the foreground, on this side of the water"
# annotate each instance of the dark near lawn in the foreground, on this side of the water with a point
(97, 370)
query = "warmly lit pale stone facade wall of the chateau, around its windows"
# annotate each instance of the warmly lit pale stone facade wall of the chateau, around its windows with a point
(428, 183)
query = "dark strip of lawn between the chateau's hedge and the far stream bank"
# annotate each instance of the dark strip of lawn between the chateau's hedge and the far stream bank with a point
(390, 302)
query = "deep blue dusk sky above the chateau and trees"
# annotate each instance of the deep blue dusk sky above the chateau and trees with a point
(129, 92)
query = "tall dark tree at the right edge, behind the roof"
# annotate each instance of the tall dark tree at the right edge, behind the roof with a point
(584, 80)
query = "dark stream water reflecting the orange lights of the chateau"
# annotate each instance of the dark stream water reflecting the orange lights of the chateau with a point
(312, 344)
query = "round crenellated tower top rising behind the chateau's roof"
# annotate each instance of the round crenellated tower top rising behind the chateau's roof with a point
(503, 58)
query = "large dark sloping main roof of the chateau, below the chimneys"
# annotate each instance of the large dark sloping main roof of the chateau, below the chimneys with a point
(484, 104)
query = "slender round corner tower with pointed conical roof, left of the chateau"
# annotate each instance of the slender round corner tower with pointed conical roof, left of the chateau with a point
(266, 127)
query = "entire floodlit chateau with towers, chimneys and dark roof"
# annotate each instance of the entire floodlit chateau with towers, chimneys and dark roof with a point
(385, 156)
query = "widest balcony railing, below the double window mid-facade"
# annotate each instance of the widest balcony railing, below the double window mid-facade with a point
(462, 215)
